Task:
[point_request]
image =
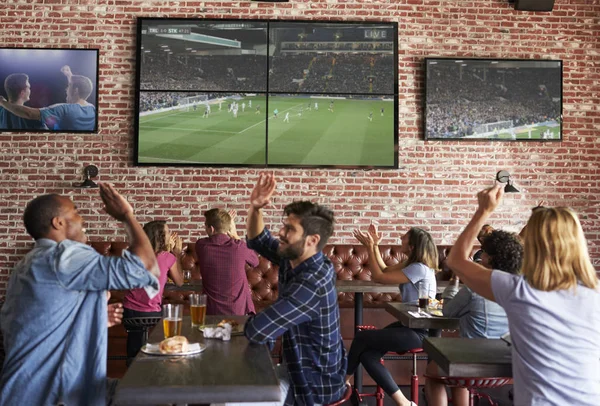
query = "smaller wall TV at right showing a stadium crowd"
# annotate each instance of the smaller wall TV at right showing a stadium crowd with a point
(493, 99)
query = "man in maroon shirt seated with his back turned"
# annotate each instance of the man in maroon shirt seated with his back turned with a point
(222, 258)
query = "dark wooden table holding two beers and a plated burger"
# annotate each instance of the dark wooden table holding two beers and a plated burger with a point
(226, 371)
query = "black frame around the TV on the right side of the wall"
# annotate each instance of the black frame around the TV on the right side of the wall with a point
(499, 60)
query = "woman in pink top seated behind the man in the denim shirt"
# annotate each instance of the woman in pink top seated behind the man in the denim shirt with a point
(167, 247)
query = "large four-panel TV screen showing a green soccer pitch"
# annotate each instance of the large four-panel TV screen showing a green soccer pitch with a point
(266, 93)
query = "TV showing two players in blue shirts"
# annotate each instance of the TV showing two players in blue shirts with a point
(49, 90)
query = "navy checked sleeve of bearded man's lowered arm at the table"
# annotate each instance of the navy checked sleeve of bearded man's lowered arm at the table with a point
(298, 305)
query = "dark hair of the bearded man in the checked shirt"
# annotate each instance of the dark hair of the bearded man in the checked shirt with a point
(314, 218)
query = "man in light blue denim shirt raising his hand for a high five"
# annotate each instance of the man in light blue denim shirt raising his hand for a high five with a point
(54, 319)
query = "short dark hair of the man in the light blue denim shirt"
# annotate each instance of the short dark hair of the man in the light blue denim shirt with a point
(39, 213)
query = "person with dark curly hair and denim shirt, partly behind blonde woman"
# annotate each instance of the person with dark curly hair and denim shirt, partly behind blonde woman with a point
(479, 317)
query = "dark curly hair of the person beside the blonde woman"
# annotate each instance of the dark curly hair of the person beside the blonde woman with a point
(505, 251)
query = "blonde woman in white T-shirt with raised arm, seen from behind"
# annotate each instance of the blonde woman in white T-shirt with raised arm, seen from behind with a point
(553, 306)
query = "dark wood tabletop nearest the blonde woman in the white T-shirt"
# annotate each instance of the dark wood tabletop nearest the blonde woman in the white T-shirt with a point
(470, 357)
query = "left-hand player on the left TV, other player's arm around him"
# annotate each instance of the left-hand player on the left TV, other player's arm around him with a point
(18, 90)
